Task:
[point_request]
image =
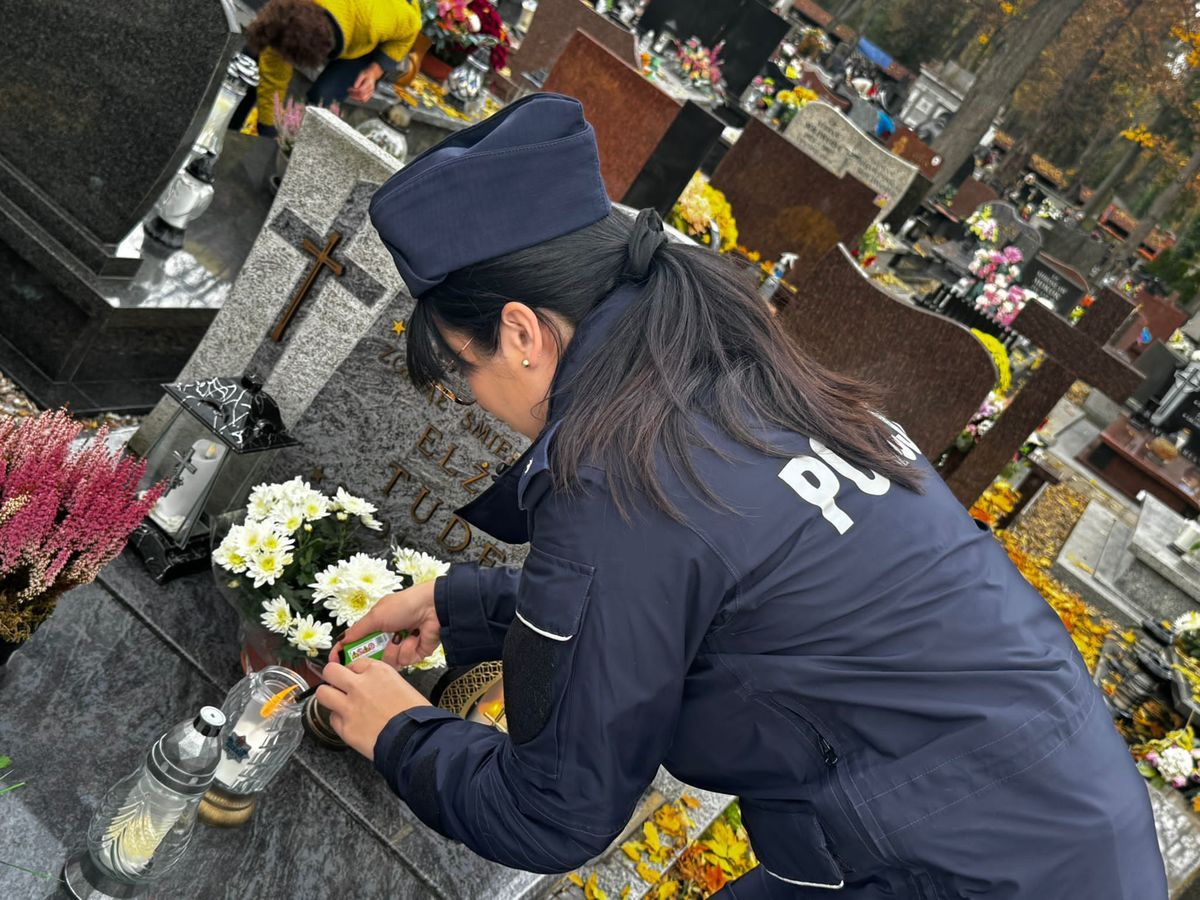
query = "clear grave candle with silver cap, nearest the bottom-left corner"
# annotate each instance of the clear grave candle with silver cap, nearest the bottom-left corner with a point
(145, 824)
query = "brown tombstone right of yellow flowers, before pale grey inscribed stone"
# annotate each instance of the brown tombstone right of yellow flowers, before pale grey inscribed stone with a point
(787, 202)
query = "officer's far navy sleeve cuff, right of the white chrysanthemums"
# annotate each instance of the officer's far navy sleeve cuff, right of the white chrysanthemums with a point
(476, 607)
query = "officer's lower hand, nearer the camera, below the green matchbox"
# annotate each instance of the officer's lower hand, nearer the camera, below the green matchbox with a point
(363, 699)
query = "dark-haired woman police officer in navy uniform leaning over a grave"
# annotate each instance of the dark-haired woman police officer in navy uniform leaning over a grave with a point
(737, 571)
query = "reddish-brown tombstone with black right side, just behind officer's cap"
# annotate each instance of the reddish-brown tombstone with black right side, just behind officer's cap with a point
(650, 143)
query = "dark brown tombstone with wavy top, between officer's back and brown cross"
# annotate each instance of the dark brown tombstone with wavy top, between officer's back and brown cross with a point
(933, 374)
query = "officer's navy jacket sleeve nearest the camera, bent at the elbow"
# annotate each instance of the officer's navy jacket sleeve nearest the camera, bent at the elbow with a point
(609, 616)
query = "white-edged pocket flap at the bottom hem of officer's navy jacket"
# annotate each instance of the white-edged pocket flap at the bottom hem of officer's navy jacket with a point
(791, 845)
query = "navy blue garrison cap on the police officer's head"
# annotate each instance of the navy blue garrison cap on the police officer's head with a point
(526, 176)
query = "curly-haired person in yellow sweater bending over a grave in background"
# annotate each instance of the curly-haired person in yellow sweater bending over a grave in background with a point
(357, 43)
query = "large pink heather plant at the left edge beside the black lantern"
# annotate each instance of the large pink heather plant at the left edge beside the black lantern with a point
(63, 515)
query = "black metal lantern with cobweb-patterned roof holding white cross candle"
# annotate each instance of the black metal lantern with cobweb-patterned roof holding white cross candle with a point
(220, 439)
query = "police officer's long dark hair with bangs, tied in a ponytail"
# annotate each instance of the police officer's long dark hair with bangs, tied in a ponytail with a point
(697, 341)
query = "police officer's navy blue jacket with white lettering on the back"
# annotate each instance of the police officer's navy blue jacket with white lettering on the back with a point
(898, 711)
